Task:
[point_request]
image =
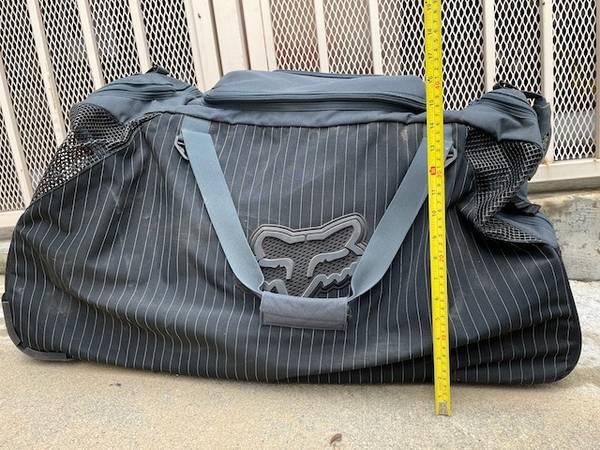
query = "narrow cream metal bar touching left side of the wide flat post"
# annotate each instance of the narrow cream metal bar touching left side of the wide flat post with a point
(207, 41)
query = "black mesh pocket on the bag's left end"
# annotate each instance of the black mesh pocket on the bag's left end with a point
(95, 133)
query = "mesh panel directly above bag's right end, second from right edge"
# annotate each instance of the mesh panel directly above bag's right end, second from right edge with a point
(517, 35)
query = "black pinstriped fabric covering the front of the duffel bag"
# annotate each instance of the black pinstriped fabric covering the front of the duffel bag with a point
(121, 265)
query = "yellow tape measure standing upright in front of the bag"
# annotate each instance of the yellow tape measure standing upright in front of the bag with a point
(437, 203)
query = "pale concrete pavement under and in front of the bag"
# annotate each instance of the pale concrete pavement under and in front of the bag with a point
(84, 405)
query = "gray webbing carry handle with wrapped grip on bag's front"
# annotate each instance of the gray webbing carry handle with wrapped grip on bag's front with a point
(286, 310)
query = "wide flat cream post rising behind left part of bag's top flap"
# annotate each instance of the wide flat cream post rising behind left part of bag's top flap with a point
(230, 34)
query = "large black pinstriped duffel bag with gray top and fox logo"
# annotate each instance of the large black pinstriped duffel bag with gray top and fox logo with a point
(275, 228)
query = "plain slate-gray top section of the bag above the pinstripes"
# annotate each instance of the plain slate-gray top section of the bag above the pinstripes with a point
(309, 99)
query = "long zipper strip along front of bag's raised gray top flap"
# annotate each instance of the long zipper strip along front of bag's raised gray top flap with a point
(315, 101)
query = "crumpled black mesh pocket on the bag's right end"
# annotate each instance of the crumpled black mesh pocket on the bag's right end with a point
(500, 169)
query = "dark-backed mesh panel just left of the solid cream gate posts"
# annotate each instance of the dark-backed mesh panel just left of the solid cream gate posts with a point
(168, 37)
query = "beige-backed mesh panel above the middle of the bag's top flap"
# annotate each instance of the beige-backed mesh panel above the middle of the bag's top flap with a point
(295, 34)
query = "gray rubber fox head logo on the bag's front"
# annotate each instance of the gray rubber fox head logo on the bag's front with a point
(305, 261)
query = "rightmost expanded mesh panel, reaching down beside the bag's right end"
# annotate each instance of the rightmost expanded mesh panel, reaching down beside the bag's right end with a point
(574, 78)
